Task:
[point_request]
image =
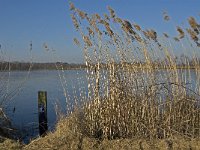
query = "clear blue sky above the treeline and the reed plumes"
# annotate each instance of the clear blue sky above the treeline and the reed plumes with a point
(48, 22)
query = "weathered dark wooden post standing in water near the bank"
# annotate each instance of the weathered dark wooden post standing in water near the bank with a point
(42, 112)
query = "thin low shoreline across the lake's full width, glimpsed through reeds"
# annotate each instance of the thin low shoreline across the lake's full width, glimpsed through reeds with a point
(21, 66)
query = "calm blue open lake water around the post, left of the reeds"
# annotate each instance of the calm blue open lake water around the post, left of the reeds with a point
(25, 103)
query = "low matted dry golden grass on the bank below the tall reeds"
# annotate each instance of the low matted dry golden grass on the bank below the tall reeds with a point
(65, 137)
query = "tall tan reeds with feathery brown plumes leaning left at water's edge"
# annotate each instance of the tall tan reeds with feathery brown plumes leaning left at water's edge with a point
(136, 86)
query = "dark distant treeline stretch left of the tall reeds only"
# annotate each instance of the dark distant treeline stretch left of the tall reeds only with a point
(5, 66)
